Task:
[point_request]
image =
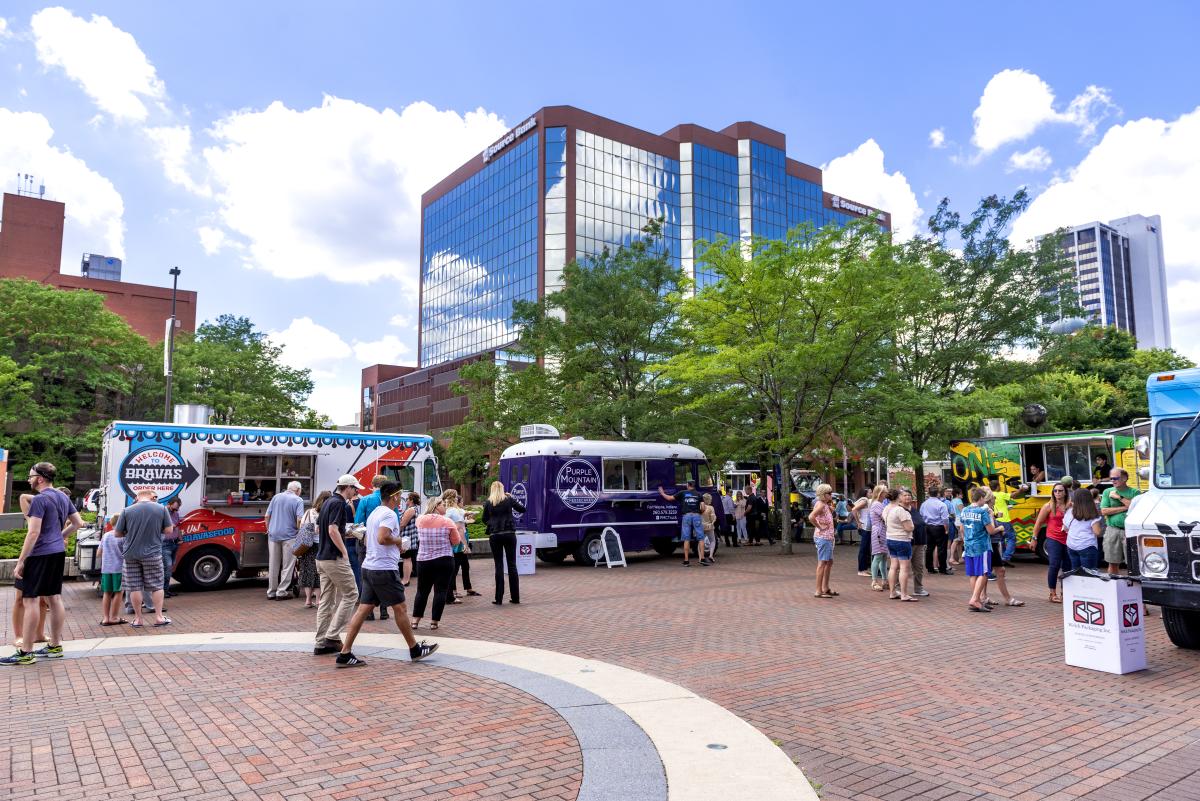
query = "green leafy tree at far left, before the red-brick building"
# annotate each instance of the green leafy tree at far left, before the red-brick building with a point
(68, 368)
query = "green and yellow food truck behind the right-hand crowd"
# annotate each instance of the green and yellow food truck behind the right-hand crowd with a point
(1012, 460)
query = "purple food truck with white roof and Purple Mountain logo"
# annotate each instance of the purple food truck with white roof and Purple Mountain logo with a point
(574, 489)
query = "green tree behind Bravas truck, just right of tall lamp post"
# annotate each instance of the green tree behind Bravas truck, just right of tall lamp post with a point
(235, 369)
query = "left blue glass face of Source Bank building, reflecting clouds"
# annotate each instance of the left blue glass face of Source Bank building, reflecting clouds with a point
(481, 254)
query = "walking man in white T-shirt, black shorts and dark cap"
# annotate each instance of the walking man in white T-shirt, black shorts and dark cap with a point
(381, 579)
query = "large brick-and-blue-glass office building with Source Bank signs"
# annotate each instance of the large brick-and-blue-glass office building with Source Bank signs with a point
(565, 185)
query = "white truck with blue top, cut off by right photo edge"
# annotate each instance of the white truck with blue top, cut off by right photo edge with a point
(1163, 523)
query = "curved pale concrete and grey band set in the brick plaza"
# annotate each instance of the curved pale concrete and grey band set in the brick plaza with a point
(641, 738)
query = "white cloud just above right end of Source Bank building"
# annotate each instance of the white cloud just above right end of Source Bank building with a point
(861, 176)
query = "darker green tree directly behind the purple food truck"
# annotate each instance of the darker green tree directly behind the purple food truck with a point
(608, 336)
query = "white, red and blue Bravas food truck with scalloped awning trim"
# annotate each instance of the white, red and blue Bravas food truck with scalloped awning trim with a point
(225, 477)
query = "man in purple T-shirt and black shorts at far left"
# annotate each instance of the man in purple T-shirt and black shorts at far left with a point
(39, 573)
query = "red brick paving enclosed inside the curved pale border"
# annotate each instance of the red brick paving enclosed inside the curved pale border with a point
(259, 725)
